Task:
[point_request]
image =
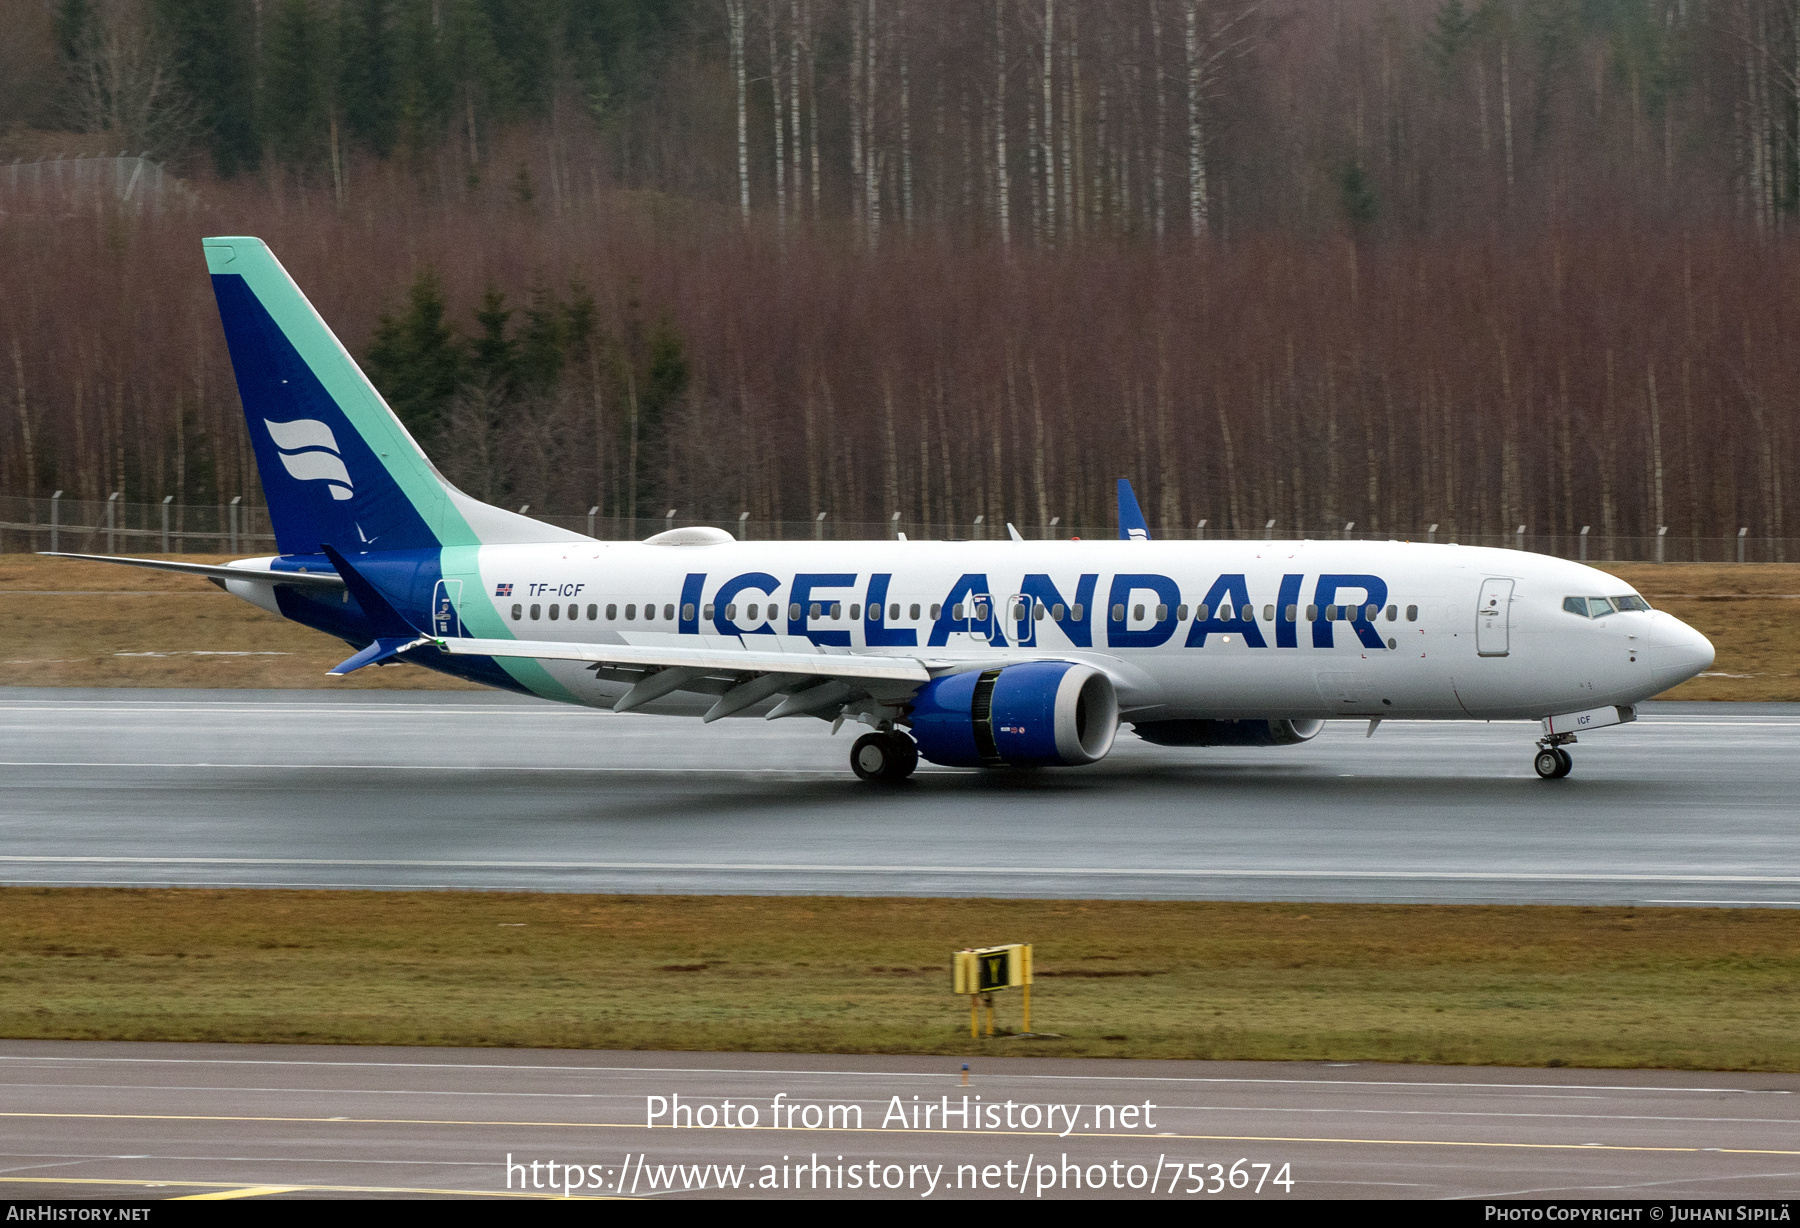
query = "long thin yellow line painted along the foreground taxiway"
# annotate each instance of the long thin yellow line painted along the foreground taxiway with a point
(867, 1130)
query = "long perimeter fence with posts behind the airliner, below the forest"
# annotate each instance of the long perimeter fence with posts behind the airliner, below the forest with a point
(114, 527)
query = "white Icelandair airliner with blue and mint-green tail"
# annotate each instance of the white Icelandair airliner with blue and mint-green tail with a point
(971, 655)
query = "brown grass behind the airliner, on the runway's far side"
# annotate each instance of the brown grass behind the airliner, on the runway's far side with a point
(73, 624)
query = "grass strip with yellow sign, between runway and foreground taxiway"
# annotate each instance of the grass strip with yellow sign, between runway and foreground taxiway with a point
(1533, 986)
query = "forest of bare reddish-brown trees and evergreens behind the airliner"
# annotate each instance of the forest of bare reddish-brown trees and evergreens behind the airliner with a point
(1479, 264)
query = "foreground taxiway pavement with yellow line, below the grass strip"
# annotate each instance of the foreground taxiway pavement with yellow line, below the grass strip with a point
(172, 1121)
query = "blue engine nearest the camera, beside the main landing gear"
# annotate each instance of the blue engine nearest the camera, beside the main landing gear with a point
(1036, 714)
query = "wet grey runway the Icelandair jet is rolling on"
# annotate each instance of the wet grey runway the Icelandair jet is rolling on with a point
(406, 790)
